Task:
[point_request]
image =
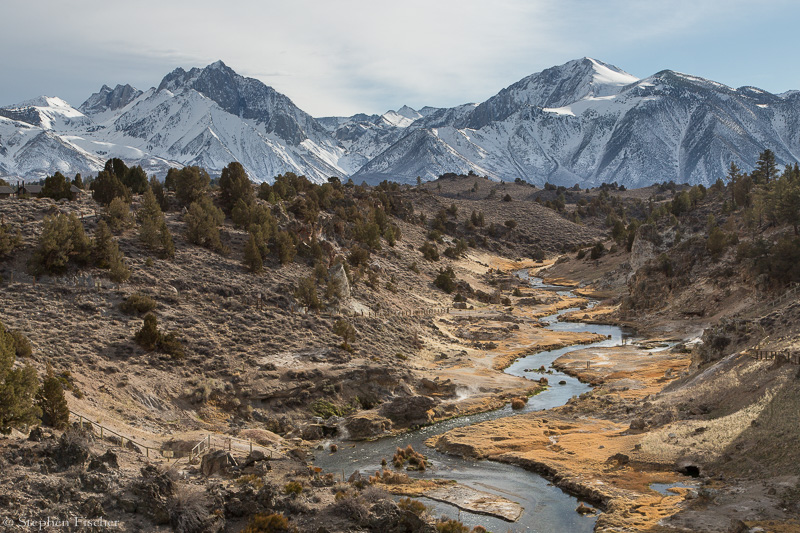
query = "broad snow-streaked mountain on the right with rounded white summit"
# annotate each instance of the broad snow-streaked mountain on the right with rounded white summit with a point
(588, 122)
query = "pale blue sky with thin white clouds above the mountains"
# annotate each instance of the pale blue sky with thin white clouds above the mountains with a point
(341, 57)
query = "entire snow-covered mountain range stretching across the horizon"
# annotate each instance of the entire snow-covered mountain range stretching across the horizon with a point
(583, 122)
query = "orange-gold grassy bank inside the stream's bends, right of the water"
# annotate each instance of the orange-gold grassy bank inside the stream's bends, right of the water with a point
(589, 455)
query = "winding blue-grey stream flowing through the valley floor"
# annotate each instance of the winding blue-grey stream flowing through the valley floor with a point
(546, 508)
